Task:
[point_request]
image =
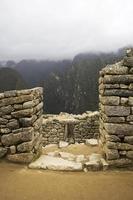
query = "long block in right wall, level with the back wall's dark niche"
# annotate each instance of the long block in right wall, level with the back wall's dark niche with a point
(119, 129)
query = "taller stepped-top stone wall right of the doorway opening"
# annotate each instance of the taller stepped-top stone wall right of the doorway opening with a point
(116, 112)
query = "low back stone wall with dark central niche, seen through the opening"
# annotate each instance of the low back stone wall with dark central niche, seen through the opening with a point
(71, 128)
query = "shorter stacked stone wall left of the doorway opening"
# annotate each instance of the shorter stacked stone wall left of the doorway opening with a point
(21, 124)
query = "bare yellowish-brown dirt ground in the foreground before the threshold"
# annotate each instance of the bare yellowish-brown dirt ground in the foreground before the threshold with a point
(19, 183)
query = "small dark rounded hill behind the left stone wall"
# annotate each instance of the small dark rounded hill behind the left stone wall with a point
(10, 79)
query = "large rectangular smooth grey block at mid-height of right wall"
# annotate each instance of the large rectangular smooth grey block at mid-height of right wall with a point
(117, 110)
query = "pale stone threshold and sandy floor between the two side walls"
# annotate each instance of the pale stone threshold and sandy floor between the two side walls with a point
(74, 157)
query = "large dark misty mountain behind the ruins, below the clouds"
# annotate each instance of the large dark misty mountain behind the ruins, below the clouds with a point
(69, 85)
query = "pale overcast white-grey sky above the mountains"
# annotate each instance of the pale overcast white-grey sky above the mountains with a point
(62, 28)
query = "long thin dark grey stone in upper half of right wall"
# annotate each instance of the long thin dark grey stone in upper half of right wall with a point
(119, 92)
